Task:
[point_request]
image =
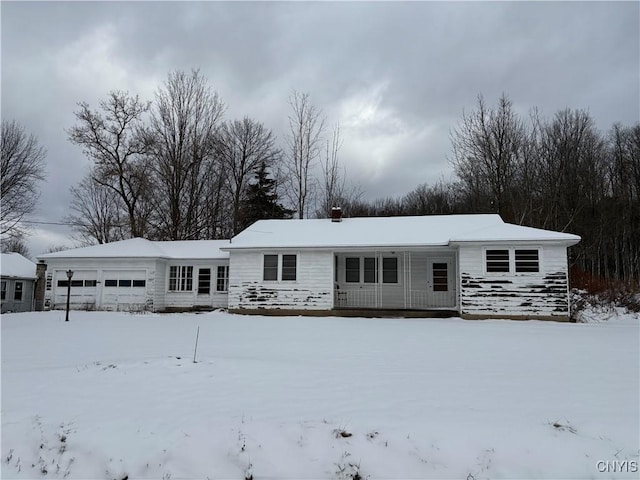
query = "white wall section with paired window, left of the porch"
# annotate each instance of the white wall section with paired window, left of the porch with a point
(312, 289)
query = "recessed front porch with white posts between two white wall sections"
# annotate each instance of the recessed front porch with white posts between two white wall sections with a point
(392, 280)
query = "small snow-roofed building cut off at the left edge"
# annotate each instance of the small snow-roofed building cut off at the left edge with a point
(17, 279)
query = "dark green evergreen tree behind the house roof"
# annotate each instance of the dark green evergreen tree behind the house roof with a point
(261, 200)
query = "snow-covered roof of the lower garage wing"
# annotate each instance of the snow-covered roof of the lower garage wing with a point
(143, 248)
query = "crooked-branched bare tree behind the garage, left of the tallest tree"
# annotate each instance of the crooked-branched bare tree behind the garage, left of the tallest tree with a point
(111, 138)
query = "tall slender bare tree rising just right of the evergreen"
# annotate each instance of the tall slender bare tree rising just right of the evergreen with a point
(303, 149)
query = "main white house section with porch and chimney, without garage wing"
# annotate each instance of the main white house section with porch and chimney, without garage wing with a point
(476, 266)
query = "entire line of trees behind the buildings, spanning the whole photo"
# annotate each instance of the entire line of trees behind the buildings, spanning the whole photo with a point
(174, 168)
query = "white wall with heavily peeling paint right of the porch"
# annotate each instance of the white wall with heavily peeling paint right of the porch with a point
(540, 294)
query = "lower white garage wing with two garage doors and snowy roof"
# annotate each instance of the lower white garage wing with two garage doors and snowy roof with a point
(139, 274)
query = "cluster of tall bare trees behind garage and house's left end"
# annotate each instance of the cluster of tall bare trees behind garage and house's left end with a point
(174, 169)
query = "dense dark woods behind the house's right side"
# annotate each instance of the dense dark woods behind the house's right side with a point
(559, 173)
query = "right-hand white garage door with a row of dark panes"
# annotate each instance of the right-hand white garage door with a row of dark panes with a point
(124, 289)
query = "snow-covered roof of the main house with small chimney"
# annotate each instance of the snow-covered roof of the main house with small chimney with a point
(371, 232)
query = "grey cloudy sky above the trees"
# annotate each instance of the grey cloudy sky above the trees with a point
(396, 76)
